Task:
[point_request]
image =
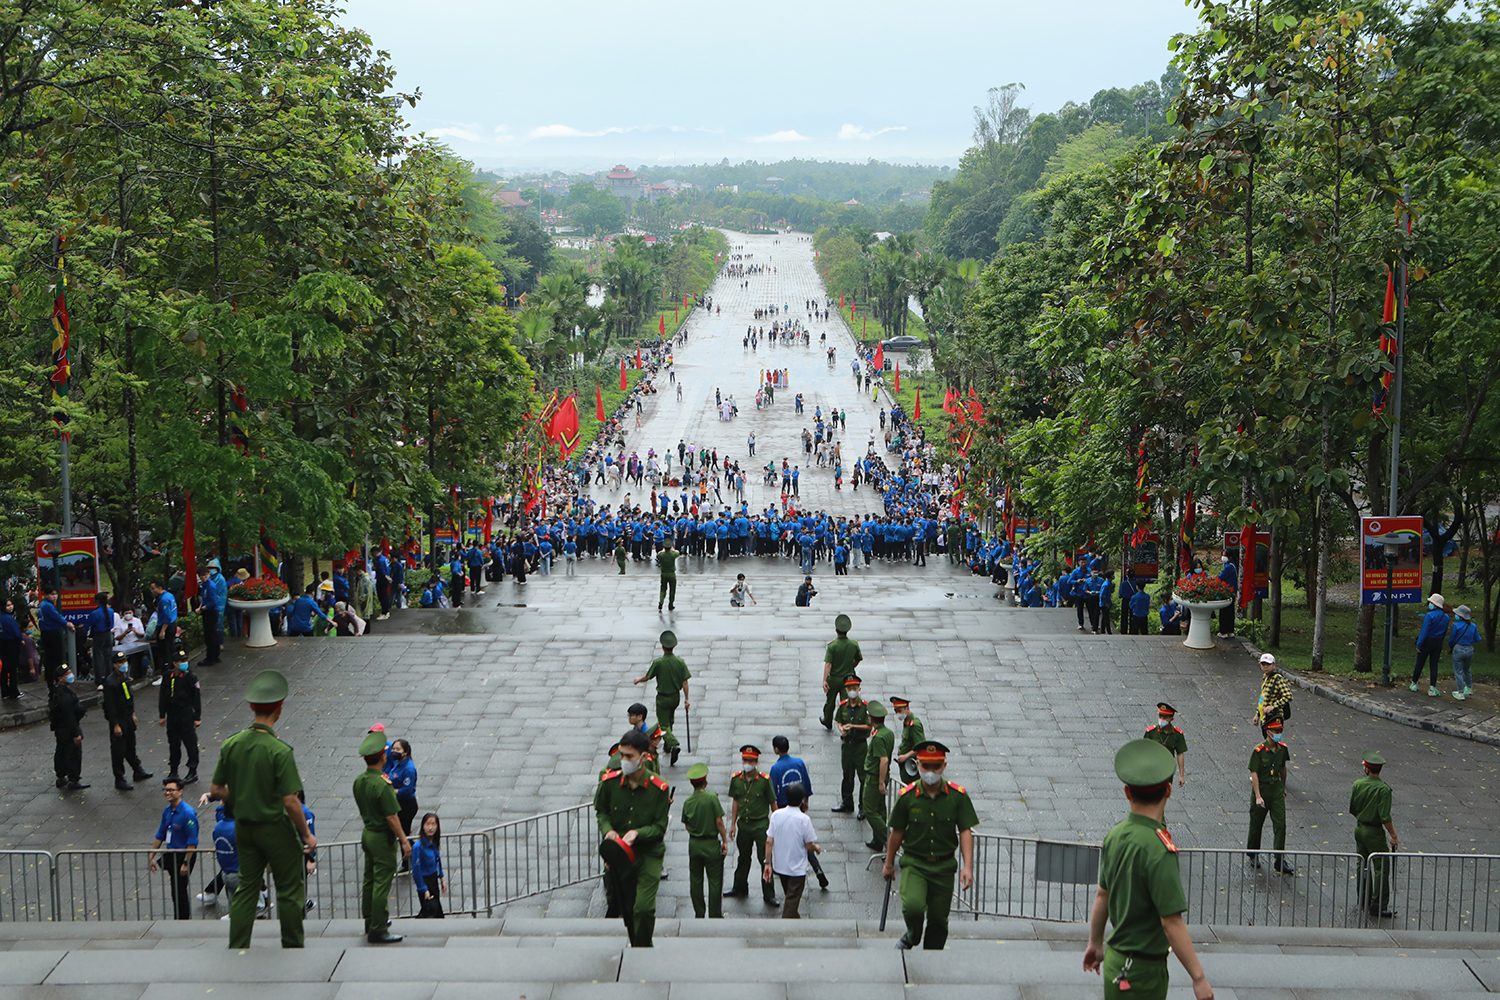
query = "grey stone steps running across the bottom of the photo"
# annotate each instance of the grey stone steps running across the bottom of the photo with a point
(578, 959)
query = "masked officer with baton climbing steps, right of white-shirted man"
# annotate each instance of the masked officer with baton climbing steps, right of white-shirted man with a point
(931, 821)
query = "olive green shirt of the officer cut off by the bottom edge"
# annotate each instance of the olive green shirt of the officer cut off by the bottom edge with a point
(1139, 872)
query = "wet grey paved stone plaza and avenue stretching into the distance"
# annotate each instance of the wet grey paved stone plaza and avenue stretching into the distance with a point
(512, 704)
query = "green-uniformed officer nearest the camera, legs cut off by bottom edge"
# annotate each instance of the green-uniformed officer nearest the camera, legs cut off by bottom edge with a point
(1141, 888)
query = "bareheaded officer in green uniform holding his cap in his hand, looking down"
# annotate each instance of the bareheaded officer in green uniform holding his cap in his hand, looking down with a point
(632, 809)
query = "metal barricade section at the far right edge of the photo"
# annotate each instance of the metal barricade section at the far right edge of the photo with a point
(1444, 893)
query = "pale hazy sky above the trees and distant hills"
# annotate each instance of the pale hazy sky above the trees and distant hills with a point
(587, 85)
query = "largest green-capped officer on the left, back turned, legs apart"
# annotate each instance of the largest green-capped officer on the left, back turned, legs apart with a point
(259, 783)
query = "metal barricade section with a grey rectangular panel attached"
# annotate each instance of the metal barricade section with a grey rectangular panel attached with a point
(1039, 881)
